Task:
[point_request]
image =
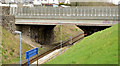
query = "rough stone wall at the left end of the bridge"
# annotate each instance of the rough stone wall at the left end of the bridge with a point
(8, 21)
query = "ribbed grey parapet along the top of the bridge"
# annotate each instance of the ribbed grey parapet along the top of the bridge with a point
(84, 12)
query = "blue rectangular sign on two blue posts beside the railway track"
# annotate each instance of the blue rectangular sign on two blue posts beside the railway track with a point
(31, 53)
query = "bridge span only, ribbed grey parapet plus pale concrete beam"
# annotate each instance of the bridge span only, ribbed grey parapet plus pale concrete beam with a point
(83, 15)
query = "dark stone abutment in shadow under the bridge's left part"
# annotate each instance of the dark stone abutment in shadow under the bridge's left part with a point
(42, 34)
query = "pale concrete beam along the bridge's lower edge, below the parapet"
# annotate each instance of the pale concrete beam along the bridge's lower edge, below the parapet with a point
(65, 22)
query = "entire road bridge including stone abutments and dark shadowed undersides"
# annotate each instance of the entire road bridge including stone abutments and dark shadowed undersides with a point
(39, 22)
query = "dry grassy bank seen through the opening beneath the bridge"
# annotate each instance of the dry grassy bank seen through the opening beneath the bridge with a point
(67, 32)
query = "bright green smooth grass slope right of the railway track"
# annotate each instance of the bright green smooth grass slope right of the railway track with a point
(99, 48)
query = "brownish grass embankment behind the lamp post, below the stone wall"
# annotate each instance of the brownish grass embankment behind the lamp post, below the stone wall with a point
(10, 48)
